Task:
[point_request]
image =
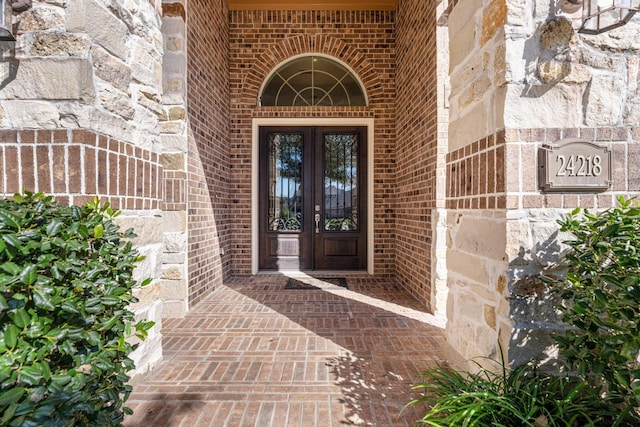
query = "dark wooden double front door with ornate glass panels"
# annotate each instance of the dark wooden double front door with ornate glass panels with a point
(312, 194)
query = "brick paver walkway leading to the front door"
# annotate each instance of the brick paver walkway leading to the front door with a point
(257, 354)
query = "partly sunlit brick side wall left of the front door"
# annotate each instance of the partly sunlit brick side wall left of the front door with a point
(208, 172)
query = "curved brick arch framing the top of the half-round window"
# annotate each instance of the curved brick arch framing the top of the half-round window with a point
(311, 44)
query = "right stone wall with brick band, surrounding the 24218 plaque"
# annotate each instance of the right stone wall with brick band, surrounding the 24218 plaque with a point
(522, 77)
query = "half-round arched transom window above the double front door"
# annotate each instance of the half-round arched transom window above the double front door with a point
(312, 81)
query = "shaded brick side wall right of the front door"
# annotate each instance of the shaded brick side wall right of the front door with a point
(417, 145)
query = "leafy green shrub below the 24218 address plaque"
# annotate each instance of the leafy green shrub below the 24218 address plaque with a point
(601, 295)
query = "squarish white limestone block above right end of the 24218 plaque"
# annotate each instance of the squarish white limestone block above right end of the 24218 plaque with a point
(603, 107)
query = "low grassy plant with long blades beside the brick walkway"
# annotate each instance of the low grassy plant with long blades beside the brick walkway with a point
(519, 397)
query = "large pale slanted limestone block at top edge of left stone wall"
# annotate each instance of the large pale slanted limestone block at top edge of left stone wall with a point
(111, 33)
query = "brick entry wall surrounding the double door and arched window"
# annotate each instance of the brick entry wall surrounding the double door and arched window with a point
(364, 40)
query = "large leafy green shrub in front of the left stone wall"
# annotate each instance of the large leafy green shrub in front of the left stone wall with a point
(65, 285)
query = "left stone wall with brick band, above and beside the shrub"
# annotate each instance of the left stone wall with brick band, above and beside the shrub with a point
(79, 106)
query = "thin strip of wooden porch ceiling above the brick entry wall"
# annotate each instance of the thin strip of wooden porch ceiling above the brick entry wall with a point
(312, 5)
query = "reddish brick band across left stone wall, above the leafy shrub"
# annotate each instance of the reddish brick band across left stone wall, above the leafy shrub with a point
(77, 165)
